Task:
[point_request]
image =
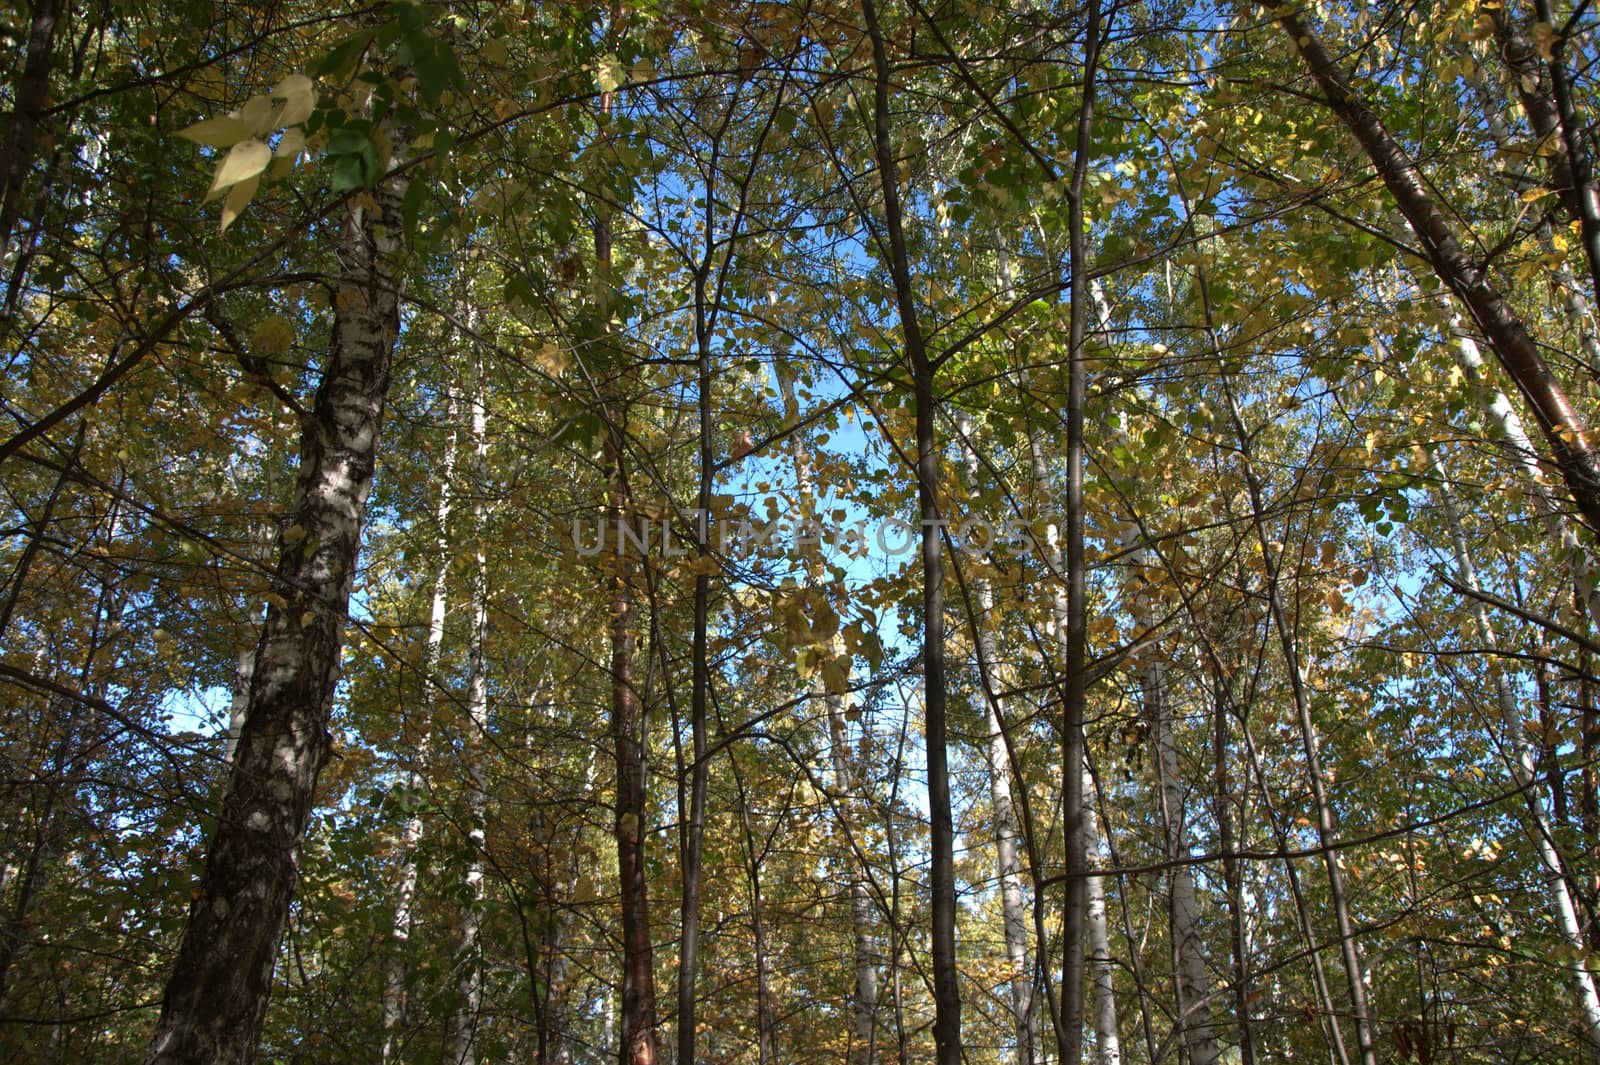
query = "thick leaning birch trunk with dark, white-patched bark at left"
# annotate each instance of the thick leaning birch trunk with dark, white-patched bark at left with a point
(217, 995)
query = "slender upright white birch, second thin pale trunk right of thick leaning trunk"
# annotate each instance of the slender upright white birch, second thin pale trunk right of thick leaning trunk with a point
(462, 1047)
